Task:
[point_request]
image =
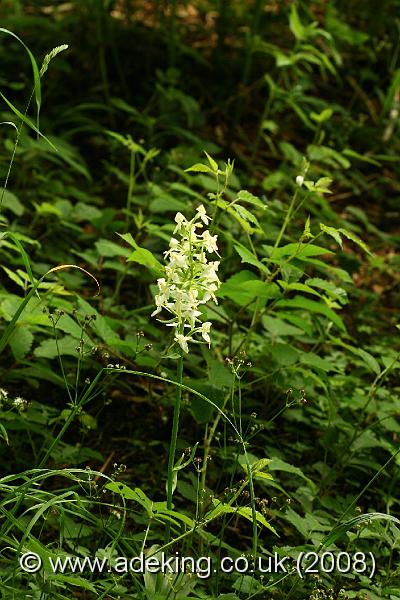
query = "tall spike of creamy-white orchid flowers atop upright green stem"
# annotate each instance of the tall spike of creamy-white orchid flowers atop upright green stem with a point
(190, 279)
